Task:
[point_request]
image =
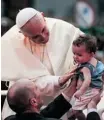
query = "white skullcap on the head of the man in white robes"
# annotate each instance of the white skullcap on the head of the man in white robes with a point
(24, 16)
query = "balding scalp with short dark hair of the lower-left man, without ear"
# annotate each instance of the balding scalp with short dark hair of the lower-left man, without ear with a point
(20, 94)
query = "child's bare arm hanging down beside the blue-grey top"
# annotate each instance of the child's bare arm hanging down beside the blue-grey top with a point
(86, 82)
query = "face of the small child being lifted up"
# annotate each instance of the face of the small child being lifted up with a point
(80, 54)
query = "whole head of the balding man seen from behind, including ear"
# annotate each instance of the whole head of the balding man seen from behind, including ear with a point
(24, 96)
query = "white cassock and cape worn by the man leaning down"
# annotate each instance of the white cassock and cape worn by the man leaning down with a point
(17, 62)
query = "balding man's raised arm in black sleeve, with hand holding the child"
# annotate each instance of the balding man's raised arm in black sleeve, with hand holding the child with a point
(61, 104)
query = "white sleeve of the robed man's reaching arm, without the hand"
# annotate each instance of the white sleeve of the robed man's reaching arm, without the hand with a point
(48, 85)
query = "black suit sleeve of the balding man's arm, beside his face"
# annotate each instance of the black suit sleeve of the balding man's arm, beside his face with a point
(57, 108)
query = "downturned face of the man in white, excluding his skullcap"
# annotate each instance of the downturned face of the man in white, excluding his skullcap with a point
(36, 29)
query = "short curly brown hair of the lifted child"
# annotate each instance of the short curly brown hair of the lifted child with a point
(89, 41)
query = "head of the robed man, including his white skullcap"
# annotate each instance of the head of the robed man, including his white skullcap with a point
(33, 25)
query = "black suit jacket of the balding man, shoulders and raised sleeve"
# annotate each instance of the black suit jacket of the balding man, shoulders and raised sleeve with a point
(55, 109)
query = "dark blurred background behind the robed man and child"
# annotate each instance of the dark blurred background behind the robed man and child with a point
(88, 15)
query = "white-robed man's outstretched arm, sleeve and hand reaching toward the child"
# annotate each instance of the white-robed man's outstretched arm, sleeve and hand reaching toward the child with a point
(50, 85)
